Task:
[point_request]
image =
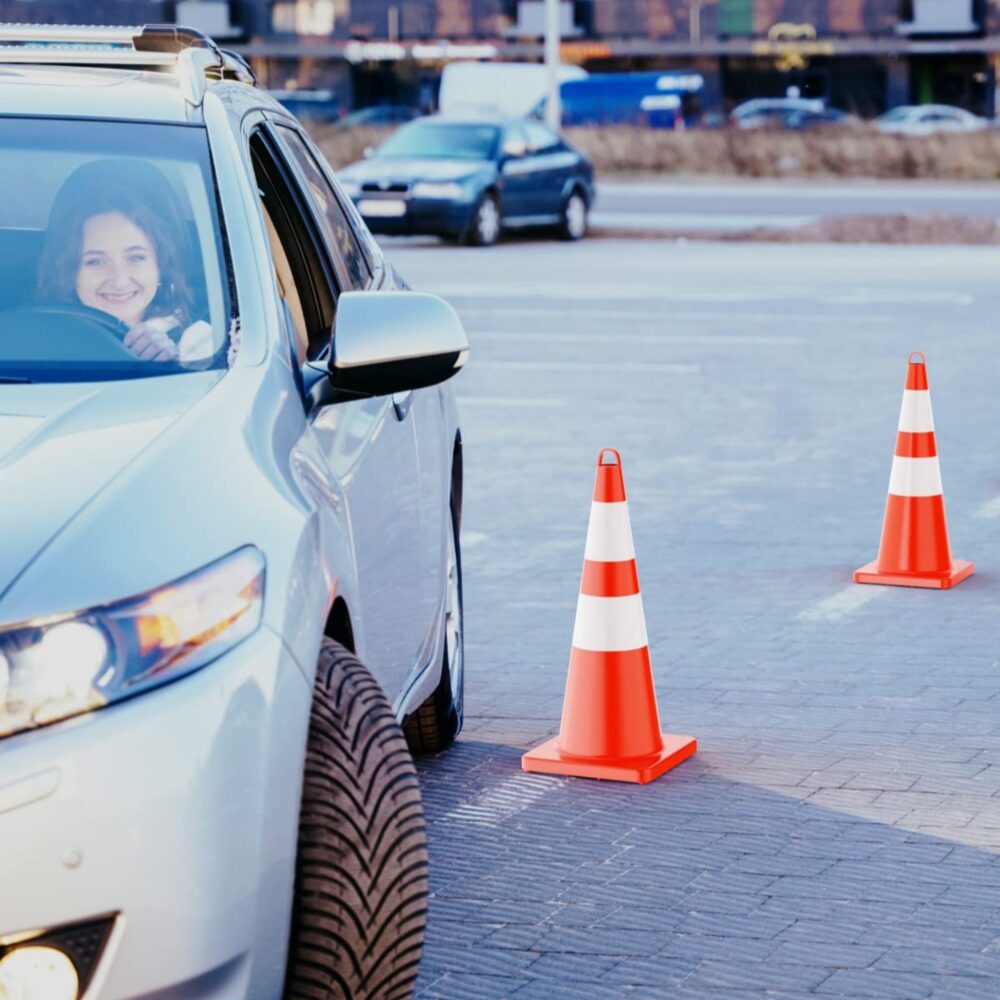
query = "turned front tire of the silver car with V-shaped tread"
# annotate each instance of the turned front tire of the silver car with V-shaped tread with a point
(361, 871)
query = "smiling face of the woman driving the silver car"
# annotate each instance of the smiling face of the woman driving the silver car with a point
(118, 273)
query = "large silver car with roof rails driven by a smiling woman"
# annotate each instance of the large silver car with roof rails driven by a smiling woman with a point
(229, 474)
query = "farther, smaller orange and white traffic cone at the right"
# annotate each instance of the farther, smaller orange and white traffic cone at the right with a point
(914, 551)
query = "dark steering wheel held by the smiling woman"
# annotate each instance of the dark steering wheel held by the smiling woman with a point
(61, 324)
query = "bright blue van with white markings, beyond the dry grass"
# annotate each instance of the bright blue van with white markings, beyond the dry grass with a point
(649, 100)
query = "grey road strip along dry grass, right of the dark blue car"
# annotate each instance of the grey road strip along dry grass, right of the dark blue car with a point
(725, 205)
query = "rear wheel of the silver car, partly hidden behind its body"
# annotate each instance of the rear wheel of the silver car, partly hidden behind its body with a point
(436, 723)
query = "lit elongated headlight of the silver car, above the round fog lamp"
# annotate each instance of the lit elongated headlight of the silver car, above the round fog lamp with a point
(60, 666)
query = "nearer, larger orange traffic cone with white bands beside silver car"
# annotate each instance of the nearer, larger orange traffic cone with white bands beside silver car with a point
(610, 727)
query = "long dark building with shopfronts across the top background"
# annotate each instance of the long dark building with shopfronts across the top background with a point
(862, 55)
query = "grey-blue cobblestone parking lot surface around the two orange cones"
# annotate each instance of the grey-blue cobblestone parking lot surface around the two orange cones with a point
(838, 833)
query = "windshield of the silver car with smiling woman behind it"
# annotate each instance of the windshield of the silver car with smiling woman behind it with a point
(112, 262)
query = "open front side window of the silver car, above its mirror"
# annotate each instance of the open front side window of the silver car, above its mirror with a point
(307, 288)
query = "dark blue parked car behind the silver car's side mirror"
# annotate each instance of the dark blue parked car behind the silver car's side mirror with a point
(470, 179)
